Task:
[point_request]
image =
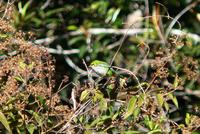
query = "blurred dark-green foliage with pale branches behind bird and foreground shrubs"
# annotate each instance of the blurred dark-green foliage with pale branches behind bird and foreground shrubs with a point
(150, 34)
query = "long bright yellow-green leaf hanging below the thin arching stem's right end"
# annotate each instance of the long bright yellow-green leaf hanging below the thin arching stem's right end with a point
(131, 107)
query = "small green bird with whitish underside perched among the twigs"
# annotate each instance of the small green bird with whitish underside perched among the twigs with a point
(102, 68)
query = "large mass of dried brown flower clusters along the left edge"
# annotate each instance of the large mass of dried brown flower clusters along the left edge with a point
(26, 77)
